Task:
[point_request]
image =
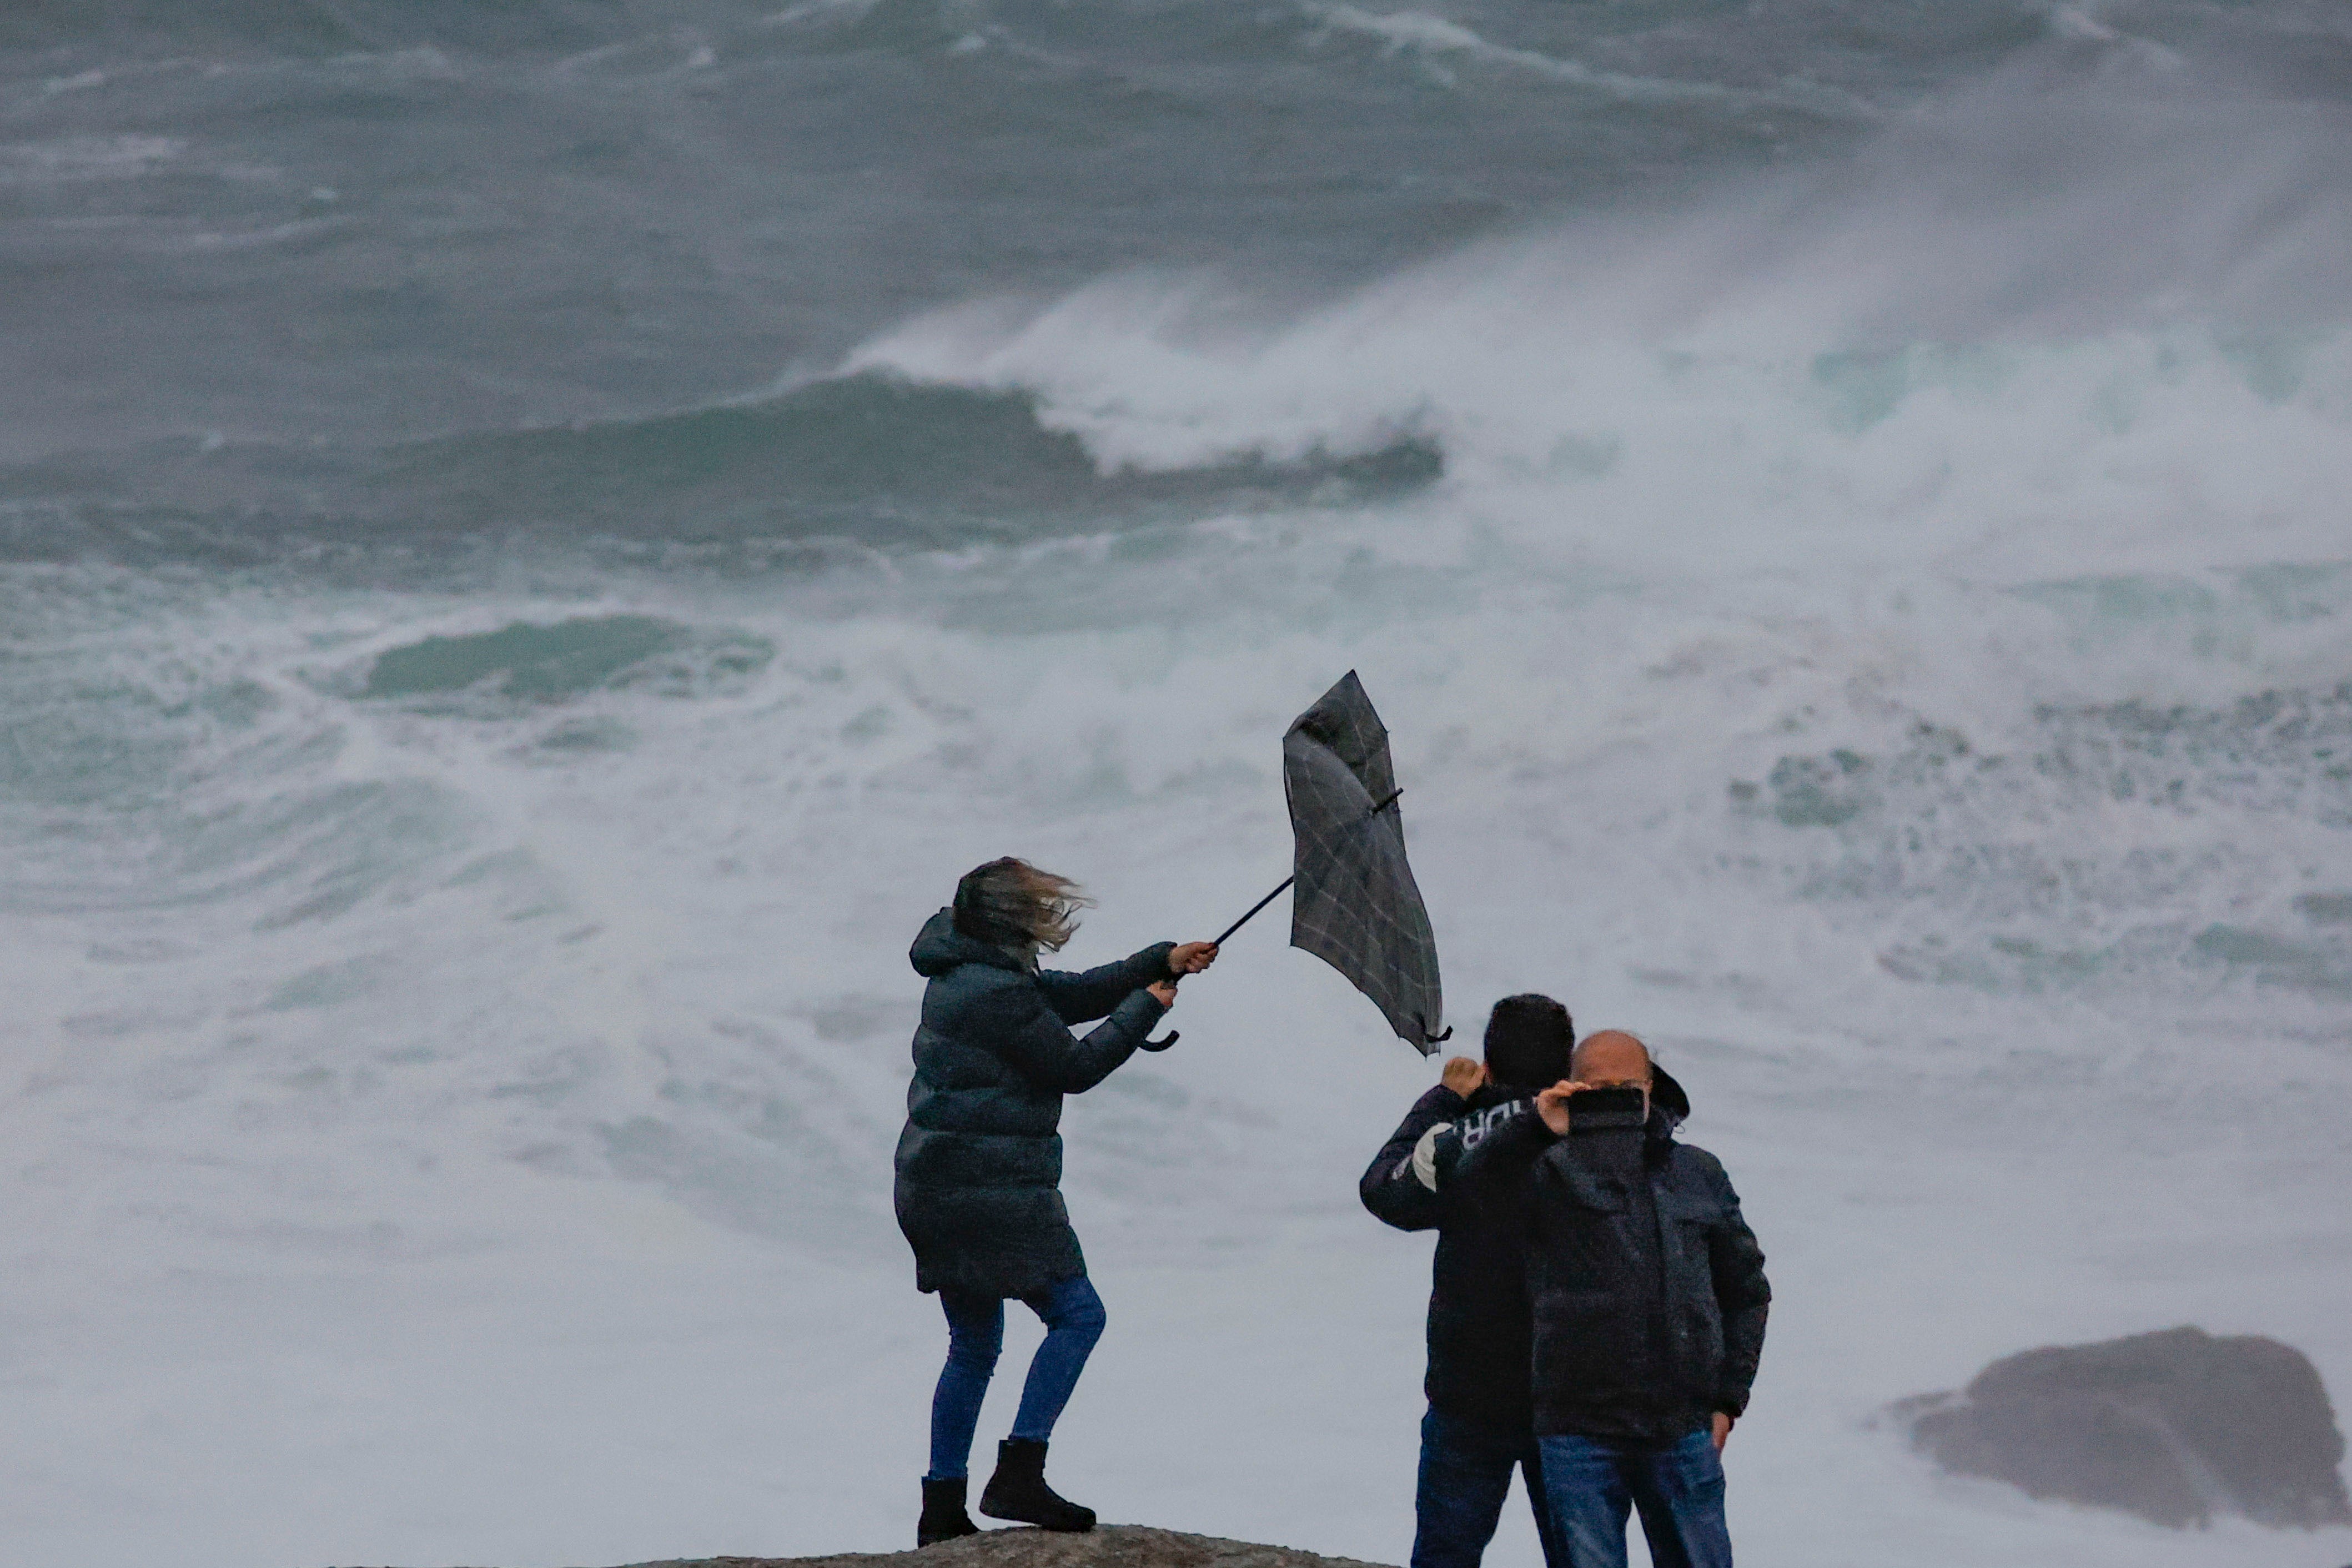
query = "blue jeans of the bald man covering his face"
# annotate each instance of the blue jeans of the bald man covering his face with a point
(1681, 1492)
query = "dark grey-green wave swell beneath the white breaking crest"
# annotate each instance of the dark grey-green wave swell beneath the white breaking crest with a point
(867, 460)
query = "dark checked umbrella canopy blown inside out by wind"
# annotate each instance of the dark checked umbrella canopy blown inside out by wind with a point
(1356, 904)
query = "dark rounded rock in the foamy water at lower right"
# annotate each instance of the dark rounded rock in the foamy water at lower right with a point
(2172, 1426)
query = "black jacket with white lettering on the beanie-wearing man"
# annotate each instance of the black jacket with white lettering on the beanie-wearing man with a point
(1481, 1336)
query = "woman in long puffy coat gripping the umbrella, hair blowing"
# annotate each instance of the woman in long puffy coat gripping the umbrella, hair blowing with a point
(980, 1162)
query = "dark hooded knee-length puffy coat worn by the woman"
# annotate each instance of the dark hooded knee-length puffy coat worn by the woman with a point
(980, 1160)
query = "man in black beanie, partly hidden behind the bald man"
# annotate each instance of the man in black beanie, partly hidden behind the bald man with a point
(1478, 1423)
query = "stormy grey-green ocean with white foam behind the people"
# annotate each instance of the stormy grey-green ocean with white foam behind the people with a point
(537, 542)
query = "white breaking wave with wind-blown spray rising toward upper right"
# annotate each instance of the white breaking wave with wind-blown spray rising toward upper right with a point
(2123, 347)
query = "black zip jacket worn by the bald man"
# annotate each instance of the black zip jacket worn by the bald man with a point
(1645, 1282)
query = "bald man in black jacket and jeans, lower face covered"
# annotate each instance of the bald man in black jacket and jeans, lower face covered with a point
(1650, 1299)
